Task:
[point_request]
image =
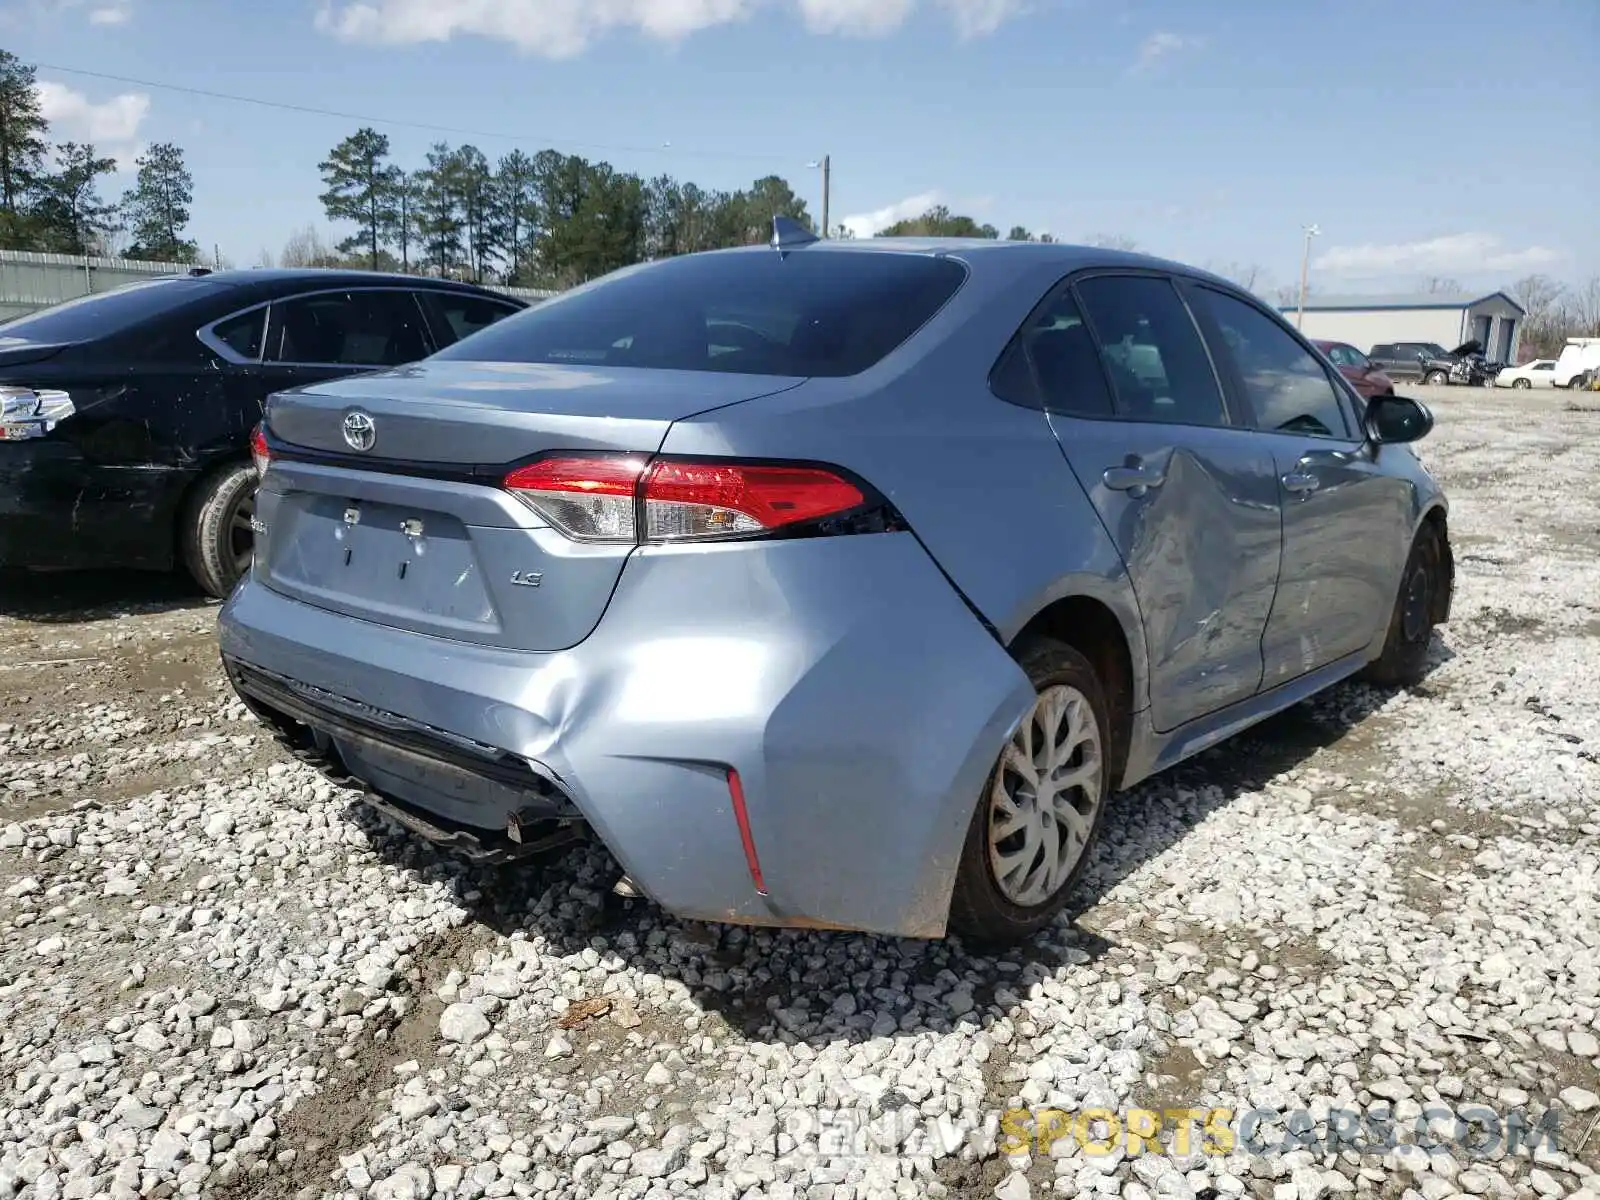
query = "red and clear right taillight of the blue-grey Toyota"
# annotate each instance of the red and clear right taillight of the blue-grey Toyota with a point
(630, 500)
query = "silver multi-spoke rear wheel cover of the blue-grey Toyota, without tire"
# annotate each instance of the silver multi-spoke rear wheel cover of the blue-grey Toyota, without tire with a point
(1046, 798)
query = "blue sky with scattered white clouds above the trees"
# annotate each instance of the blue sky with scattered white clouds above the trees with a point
(1426, 138)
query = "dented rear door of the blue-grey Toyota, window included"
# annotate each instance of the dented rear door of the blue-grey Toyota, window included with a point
(1190, 498)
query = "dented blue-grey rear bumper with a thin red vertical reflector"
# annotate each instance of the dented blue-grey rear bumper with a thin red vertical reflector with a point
(844, 681)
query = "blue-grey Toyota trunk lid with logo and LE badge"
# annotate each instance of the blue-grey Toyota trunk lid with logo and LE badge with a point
(415, 532)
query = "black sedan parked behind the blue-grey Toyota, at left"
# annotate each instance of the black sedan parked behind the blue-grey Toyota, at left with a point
(126, 417)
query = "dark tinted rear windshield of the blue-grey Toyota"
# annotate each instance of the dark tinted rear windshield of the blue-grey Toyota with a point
(745, 313)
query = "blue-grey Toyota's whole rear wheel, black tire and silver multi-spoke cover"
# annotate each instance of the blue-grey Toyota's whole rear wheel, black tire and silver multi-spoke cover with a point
(1042, 807)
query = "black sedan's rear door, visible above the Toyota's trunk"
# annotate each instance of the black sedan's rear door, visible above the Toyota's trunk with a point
(326, 335)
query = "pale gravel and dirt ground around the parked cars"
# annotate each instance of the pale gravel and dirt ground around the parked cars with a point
(222, 977)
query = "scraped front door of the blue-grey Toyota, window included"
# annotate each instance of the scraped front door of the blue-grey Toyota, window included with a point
(1346, 522)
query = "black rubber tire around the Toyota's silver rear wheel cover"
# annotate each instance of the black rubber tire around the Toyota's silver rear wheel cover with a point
(980, 908)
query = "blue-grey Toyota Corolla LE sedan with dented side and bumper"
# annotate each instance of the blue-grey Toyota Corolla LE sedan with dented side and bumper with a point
(830, 585)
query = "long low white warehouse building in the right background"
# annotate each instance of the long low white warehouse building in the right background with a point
(1449, 319)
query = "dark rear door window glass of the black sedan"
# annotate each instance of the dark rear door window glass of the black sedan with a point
(348, 329)
